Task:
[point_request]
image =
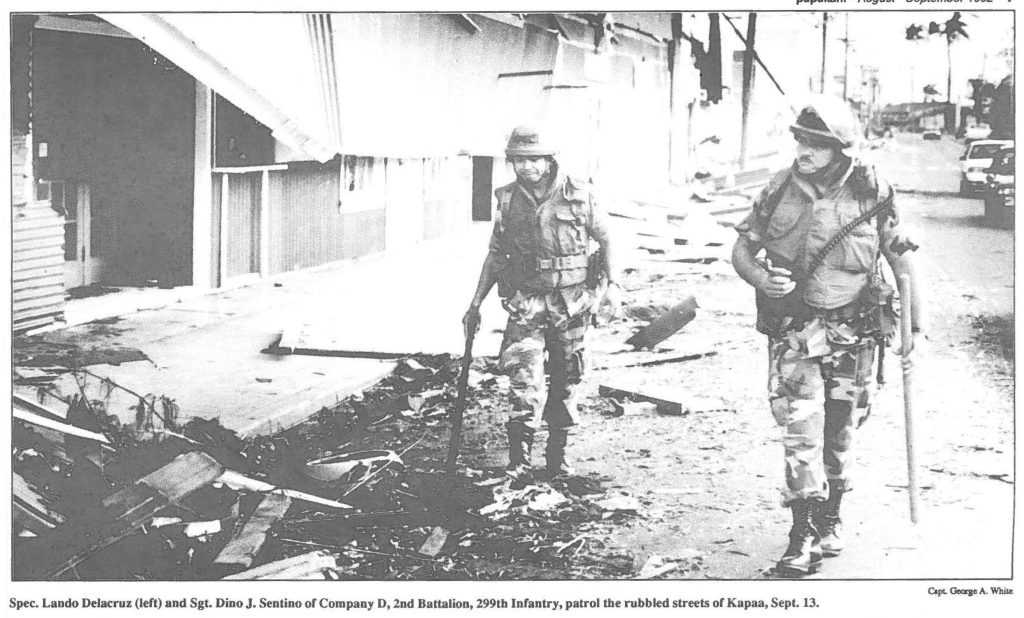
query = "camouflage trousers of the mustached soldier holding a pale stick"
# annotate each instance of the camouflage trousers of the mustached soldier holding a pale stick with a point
(821, 384)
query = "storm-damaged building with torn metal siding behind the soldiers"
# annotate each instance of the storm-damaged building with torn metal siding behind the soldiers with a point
(152, 151)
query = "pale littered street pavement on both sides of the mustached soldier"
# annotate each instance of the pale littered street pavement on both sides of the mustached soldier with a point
(709, 481)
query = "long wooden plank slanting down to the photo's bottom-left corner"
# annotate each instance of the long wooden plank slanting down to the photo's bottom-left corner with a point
(116, 517)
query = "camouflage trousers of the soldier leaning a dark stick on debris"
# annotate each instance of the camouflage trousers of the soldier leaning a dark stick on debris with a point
(541, 333)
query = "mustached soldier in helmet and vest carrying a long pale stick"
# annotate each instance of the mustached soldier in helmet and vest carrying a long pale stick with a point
(825, 323)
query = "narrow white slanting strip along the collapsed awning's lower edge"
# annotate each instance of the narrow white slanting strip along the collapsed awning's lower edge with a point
(159, 34)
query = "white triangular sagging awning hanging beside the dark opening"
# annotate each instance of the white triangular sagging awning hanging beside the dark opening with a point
(271, 72)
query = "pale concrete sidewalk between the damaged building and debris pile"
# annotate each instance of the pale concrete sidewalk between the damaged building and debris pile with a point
(205, 351)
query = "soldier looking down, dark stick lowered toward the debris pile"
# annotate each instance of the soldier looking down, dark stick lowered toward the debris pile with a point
(541, 257)
